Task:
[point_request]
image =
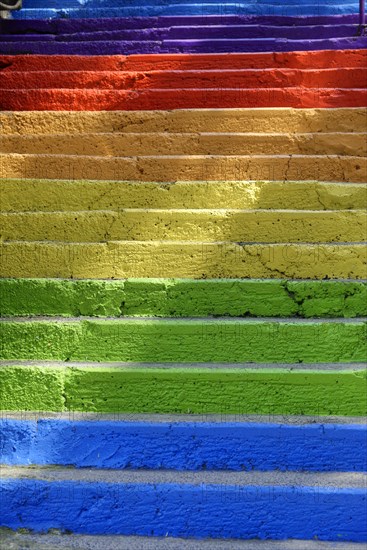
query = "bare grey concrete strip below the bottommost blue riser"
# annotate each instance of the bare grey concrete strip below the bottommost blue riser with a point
(17, 541)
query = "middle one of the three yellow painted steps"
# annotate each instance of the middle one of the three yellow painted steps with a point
(258, 226)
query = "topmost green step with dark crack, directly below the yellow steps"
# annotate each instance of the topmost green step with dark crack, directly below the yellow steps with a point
(183, 298)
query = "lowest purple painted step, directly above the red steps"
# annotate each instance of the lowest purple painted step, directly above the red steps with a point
(179, 46)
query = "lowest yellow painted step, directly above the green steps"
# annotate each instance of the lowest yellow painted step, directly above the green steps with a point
(183, 259)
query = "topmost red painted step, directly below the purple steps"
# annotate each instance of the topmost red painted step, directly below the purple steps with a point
(298, 60)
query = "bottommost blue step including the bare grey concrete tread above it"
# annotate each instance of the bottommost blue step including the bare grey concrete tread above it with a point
(163, 503)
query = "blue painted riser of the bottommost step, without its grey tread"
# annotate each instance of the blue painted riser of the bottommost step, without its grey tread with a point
(185, 510)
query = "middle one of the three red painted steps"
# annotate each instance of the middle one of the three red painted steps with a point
(186, 79)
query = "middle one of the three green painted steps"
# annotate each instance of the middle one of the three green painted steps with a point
(233, 340)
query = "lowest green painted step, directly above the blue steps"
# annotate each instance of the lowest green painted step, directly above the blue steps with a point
(304, 390)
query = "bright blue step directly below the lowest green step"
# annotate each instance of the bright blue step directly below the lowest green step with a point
(97, 441)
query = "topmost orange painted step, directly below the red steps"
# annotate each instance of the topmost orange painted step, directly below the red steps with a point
(284, 120)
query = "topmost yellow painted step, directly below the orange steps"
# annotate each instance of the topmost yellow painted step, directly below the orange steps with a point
(50, 195)
